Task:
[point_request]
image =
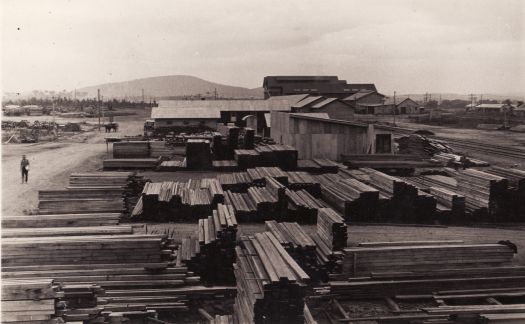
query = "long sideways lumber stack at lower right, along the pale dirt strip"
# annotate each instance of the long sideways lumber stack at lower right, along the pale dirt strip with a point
(365, 261)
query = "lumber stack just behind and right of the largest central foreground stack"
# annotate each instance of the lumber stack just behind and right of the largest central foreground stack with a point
(299, 246)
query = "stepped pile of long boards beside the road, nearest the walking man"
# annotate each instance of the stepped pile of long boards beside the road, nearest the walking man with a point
(102, 192)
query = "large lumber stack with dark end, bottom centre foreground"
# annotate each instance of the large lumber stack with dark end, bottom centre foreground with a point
(270, 284)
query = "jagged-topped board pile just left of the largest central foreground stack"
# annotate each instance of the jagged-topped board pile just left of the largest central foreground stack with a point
(210, 253)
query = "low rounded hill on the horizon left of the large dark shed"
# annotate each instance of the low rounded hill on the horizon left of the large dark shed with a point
(164, 87)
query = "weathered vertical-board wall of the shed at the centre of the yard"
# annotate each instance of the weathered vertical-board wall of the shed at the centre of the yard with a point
(322, 138)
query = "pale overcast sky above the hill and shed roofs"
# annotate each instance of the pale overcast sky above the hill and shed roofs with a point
(455, 46)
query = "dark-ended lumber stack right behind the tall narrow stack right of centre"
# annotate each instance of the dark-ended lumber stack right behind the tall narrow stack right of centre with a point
(357, 201)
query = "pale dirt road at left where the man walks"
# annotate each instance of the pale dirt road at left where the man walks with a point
(52, 163)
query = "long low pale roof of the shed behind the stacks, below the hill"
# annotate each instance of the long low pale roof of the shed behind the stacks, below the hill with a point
(270, 104)
